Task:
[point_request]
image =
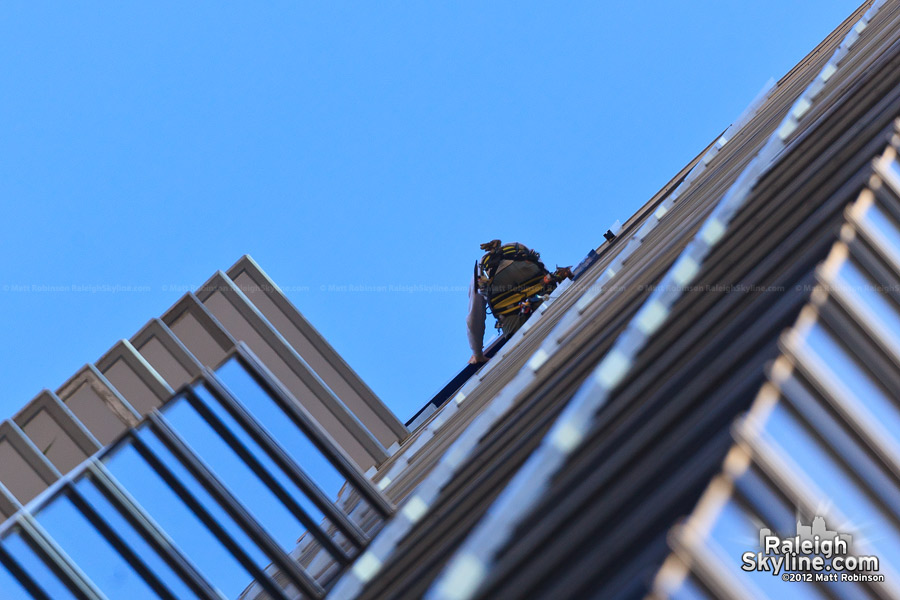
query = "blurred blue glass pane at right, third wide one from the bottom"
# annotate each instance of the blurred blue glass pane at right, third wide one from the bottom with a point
(855, 379)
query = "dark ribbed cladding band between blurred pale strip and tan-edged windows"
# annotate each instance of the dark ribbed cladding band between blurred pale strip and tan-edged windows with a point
(603, 525)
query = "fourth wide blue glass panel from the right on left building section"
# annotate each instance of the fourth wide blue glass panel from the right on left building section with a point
(91, 551)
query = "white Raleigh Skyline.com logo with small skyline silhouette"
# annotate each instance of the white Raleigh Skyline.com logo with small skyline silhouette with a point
(814, 554)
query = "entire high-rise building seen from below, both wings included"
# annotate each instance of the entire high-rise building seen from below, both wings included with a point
(723, 371)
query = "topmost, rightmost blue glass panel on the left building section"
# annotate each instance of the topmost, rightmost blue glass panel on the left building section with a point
(281, 427)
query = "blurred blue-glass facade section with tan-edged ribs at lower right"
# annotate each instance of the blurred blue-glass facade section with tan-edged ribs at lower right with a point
(832, 388)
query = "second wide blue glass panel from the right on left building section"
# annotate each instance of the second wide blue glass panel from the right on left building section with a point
(232, 471)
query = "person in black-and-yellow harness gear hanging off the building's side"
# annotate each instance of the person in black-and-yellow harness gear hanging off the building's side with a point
(511, 280)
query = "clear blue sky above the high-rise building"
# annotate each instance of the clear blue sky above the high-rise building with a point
(364, 144)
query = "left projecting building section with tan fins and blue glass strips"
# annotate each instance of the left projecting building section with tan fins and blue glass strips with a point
(221, 451)
